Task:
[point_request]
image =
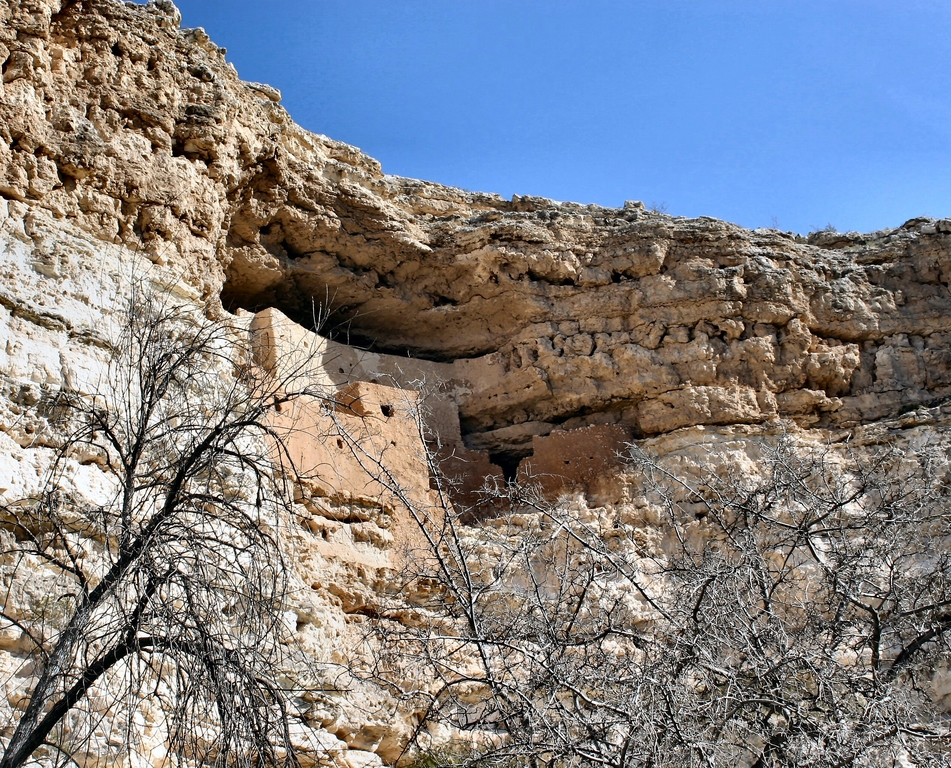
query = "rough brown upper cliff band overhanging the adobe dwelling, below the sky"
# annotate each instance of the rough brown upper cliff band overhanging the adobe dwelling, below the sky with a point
(553, 315)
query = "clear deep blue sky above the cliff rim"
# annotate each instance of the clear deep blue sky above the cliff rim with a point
(788, 113)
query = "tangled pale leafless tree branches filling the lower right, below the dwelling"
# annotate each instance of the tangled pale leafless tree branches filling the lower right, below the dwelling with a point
(791, 617)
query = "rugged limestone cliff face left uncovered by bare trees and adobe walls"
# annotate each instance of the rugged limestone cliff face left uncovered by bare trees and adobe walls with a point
(126, 143)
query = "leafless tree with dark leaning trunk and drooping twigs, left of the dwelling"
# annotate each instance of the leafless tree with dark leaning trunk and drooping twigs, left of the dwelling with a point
(169, 596)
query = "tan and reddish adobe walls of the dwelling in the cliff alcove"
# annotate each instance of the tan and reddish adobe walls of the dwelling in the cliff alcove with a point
(373, 425)
